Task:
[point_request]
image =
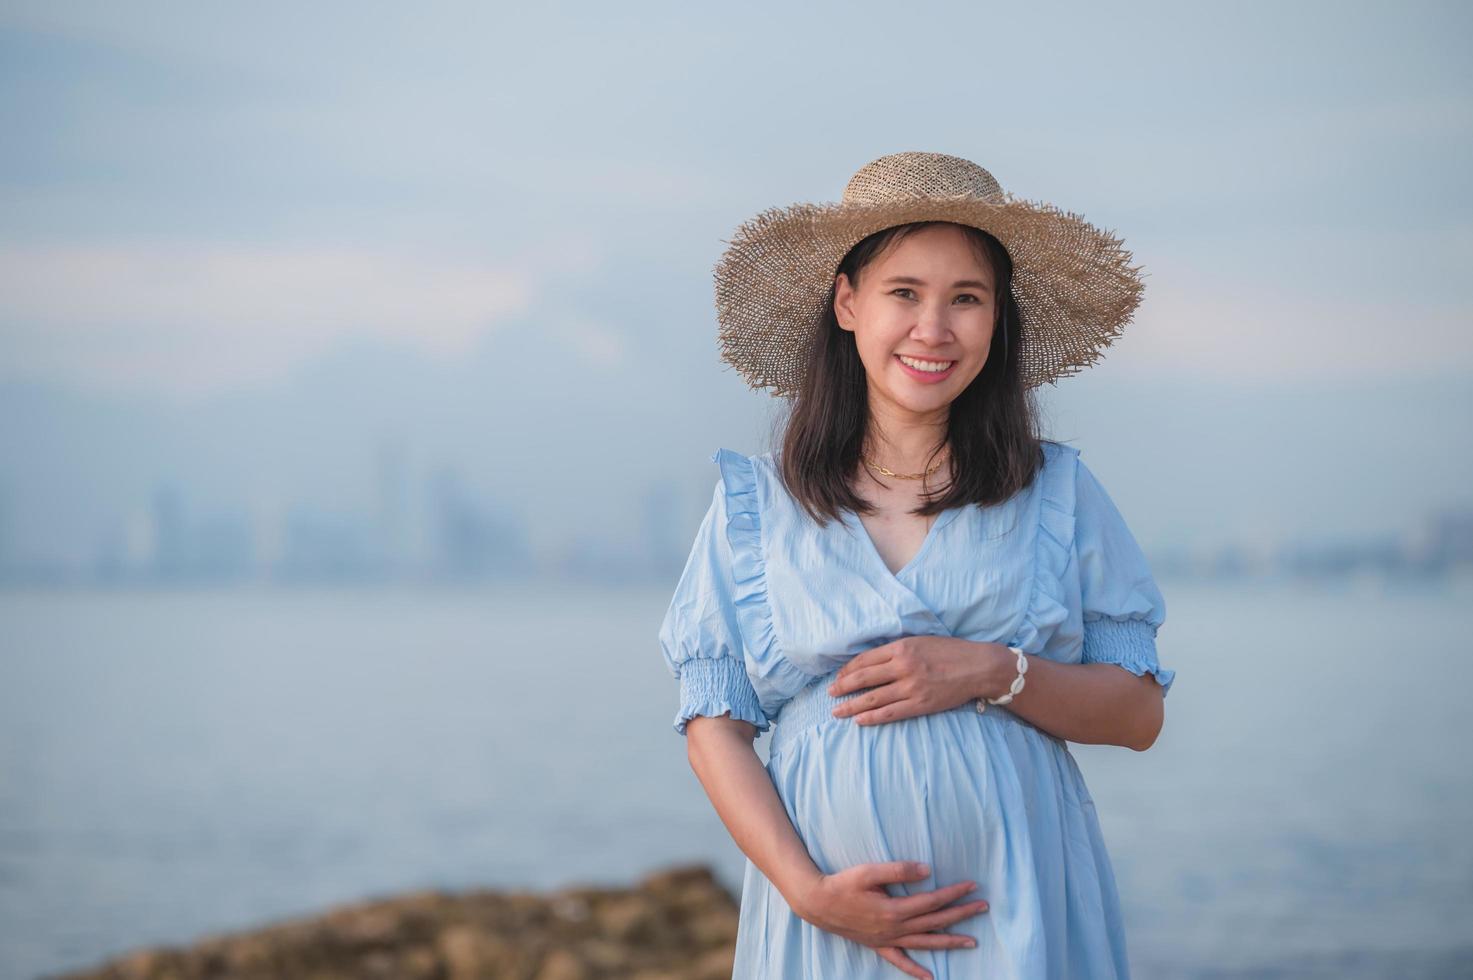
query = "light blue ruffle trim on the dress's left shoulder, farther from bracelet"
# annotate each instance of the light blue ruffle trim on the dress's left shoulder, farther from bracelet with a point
(750, 575)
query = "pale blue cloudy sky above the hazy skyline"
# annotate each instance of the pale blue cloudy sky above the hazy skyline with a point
(242, 248)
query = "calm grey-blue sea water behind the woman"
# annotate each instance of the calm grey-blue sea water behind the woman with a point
(186, 763)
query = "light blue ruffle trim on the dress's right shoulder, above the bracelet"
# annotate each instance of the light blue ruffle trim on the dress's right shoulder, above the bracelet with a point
(1048, 606)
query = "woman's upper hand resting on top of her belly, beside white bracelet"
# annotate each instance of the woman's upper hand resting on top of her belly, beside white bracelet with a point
(917, 676)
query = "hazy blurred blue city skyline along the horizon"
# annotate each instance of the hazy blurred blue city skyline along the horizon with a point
(428, 525)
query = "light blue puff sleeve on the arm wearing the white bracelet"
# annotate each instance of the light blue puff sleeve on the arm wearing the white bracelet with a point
(1122, 606)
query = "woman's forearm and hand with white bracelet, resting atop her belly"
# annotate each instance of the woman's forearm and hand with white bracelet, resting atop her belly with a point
(1094, 704)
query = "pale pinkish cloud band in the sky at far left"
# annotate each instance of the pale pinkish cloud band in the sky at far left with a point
(191, 318)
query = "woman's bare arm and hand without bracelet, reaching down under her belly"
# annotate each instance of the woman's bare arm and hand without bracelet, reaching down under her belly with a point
(851, 903)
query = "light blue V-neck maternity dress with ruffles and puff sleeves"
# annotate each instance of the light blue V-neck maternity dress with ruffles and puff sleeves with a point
(771, 606)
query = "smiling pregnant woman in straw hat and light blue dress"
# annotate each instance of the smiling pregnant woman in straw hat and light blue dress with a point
(923, 599)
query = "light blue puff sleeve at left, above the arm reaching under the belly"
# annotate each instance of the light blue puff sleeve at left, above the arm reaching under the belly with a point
(700, 637)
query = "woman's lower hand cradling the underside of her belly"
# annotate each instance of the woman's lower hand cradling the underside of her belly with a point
(854, 904)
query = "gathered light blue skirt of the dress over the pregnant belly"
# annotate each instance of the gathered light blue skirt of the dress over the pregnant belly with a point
(977, 797)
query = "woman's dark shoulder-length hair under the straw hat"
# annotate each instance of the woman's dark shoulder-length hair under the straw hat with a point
(992, 427)
